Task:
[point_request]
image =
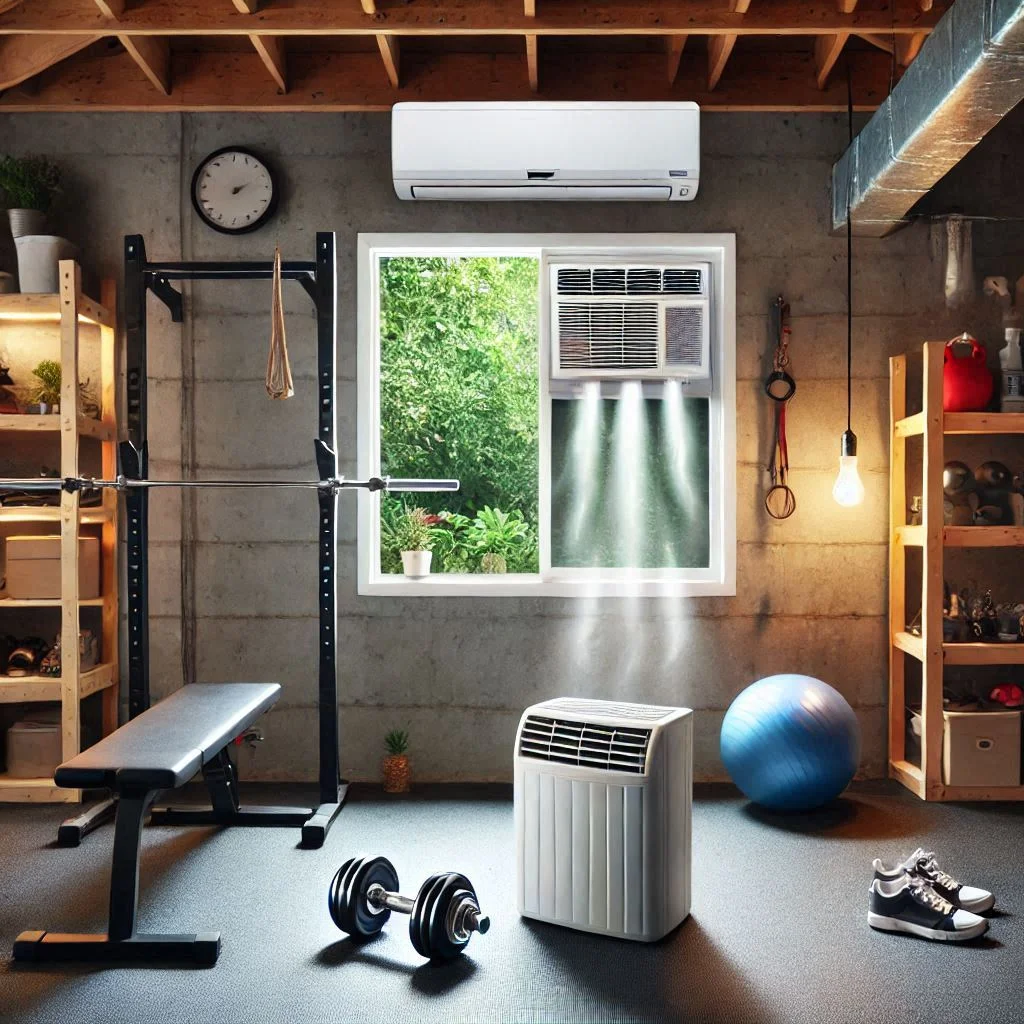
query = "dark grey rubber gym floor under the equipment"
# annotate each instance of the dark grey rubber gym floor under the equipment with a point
(778, 931)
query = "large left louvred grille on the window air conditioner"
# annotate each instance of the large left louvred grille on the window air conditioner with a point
(608, 335)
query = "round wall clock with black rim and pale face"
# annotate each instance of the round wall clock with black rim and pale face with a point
(234, 191)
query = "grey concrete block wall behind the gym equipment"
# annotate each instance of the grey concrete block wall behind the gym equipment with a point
(458, 672)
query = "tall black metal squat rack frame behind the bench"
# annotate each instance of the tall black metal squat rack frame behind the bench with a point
(319, 279)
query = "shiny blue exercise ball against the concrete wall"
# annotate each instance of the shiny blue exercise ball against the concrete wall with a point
(791, 743)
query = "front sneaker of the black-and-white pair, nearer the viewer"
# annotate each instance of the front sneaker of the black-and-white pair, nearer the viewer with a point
(908, 905)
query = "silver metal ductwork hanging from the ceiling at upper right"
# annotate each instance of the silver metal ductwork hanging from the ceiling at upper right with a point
(968, 76)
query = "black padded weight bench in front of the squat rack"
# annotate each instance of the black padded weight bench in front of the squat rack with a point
(162, 749)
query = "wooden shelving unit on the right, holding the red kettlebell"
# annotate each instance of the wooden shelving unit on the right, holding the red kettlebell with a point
(933, 537)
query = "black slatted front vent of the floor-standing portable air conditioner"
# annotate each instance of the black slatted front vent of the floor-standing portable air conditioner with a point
(585, 744)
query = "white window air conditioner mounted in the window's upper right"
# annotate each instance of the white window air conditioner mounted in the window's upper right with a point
(631, 322)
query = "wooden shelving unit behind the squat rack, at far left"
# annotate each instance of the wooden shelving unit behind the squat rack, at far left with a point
(69, 311)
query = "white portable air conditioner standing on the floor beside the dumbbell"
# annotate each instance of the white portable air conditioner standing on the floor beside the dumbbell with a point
(603, 817)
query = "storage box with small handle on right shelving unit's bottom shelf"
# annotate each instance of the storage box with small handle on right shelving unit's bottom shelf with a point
(982, 748)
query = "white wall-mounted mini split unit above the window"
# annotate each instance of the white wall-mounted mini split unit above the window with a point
(539, 151)
